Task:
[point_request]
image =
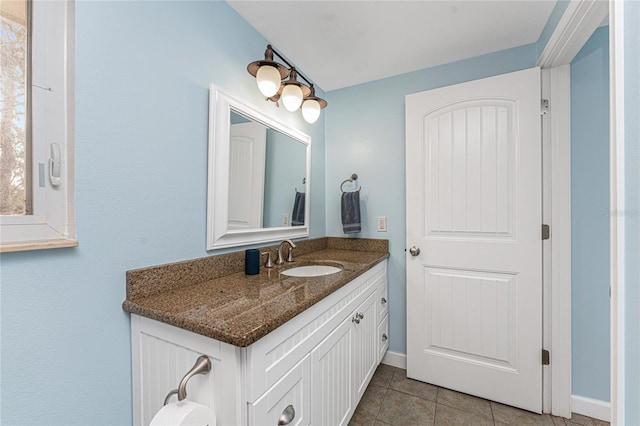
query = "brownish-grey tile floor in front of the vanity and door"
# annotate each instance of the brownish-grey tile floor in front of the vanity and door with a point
(393, 399)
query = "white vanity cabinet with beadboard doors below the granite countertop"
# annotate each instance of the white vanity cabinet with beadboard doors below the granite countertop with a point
(311, 370)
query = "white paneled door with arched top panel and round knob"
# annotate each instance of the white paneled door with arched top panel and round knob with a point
(474, 249)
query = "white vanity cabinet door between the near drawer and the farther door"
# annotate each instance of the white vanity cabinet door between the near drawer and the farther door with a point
(333, 391)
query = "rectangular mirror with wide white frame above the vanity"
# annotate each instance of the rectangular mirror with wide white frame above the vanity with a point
(258, 175)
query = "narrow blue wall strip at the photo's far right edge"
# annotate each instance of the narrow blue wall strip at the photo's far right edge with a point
(632, 209)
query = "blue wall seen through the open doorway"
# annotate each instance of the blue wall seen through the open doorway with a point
(590, 271)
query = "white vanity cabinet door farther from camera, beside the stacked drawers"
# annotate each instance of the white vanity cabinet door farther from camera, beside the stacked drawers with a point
(365, 354)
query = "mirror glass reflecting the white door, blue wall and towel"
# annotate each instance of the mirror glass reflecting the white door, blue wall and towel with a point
(267, 174)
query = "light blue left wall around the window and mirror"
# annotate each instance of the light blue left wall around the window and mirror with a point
(143, 73)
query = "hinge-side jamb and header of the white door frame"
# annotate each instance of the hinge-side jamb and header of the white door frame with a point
(579, 21)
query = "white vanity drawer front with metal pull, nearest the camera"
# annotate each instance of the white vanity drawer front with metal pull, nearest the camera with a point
(287, 402)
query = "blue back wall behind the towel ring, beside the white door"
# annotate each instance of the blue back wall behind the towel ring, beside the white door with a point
(365, 135)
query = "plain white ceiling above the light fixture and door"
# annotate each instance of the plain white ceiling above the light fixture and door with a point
(342, 43)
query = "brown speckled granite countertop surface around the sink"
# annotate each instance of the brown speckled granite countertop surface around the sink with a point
(240, 309)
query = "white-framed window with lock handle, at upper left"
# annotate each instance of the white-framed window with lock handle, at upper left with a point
(37, 125)
